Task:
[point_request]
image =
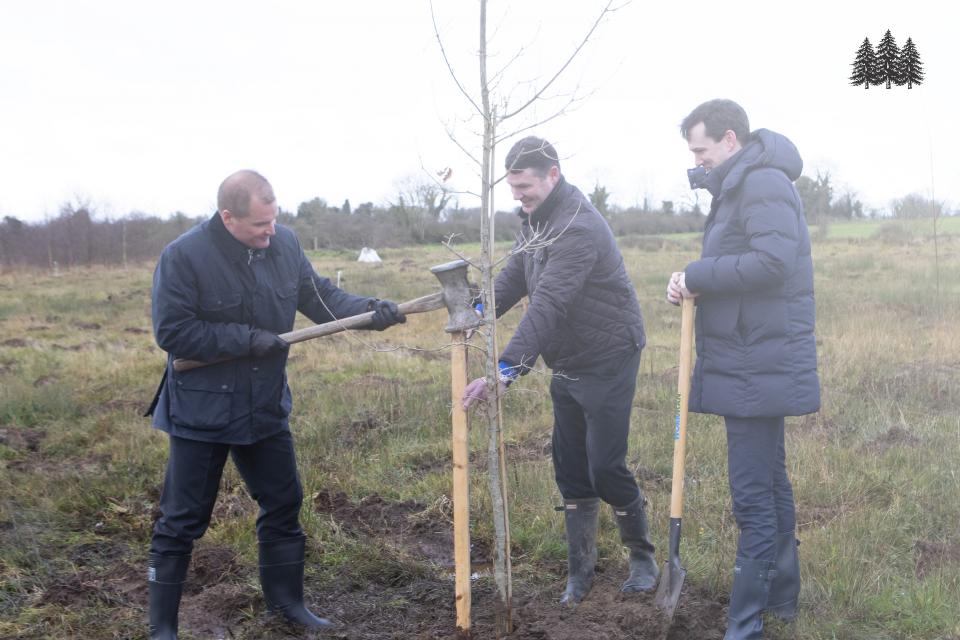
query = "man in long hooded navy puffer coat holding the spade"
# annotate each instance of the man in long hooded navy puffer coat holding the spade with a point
(756, 352)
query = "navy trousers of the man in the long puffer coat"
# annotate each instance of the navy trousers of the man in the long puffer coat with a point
(762, 496)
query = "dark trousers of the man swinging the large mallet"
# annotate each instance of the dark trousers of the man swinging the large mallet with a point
(269, 469)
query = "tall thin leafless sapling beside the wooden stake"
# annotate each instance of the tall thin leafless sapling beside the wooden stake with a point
(502, 120)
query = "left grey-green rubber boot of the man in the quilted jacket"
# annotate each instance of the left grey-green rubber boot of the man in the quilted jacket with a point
(581, 519)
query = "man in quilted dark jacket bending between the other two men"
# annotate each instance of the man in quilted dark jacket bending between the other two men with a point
(584, 320)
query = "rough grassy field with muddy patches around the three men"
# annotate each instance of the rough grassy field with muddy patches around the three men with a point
(875, 471)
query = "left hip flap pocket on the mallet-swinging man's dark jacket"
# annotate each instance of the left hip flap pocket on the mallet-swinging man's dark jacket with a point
(200, 398)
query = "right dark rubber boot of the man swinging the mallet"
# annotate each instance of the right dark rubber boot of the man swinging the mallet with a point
(281, 576)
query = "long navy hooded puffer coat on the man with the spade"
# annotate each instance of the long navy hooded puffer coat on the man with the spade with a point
(756, 350)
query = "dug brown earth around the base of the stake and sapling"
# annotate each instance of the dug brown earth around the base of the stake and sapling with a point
(424, 609)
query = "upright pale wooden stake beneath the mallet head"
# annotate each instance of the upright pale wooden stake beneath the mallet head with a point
(461, 482)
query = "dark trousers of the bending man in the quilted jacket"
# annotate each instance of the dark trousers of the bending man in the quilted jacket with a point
(591, 411)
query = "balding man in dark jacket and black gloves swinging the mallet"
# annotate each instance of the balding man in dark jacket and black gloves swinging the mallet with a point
(224, 290)
